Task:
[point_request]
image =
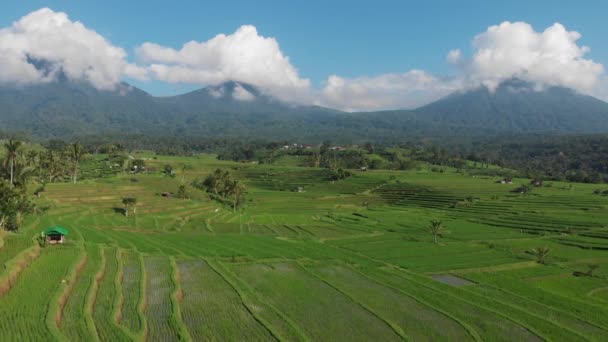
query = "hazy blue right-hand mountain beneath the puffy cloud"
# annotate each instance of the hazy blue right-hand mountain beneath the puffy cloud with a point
(515, 107)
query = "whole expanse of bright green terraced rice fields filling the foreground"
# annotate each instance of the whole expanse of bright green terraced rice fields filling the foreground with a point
(345, 260)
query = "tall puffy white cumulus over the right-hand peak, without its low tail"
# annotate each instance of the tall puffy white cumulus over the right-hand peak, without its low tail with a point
(548, 58)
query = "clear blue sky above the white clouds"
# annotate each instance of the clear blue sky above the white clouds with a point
(351, 39)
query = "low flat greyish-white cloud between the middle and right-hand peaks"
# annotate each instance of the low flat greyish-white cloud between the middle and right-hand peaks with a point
(387, 91)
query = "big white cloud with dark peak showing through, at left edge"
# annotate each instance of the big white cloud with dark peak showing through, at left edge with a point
(45, 44)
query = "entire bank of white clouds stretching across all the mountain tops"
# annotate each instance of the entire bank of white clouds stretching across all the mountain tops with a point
(46, 45)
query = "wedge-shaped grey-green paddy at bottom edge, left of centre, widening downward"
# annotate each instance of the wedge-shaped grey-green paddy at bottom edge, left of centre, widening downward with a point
(212, 310)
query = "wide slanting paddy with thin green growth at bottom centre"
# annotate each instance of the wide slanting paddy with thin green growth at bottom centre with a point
(290, 289)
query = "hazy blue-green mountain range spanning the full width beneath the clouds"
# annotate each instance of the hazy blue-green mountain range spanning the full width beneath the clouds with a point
(65, 109)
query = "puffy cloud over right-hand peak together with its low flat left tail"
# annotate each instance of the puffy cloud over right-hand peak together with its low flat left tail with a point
(505, 51)
